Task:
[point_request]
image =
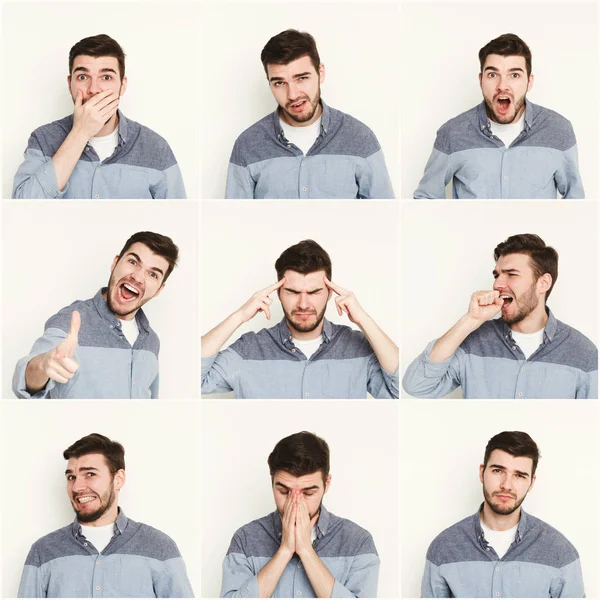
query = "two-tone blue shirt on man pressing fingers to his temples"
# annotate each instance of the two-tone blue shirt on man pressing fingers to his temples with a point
(267, 364)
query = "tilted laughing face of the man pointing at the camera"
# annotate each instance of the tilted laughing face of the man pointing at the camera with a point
(135, 278)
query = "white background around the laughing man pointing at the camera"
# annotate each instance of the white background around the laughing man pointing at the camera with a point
(56, 252)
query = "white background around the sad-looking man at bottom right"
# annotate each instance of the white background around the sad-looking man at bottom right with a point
(443, 472)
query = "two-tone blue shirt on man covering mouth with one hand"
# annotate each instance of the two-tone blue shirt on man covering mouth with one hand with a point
(142, 166)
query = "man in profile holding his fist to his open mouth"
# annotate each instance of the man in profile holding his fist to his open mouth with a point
(527, 353)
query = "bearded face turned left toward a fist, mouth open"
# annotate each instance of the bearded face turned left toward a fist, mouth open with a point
(517, 285)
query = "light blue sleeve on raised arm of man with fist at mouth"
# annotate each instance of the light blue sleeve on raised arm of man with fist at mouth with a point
(425, 378)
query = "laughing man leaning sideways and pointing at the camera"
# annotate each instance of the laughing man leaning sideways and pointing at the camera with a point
(104, 347)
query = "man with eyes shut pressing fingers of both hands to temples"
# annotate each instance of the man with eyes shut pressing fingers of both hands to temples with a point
(304, 356)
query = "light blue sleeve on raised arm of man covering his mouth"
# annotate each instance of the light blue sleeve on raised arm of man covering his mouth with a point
(36, 177)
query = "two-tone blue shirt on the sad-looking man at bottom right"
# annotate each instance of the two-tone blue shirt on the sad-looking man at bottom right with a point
(540, 563)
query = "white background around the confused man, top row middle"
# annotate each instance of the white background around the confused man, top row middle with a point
(357, 43)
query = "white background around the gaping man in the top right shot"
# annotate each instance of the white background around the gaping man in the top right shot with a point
(440, 66)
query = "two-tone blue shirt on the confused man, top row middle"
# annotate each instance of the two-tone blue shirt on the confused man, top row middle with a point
(346, 161)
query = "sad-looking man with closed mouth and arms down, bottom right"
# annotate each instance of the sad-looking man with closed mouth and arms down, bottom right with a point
(501, 551)
